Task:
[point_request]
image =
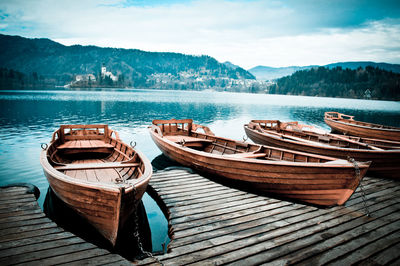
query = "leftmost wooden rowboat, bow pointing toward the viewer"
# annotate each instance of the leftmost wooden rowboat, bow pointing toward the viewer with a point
(97, 175)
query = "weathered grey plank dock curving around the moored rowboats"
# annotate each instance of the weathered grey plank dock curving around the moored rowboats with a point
(214, 224)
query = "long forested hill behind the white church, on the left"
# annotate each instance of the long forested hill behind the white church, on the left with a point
(56, 63)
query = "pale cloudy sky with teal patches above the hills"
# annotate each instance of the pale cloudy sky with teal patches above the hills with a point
(247, 33)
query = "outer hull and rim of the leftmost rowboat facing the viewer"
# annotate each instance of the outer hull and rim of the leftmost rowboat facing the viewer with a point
(106, 206)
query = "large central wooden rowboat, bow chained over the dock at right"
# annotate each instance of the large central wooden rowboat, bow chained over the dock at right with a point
(299, 176)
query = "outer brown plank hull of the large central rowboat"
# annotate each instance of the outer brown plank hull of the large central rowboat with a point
(315, 183)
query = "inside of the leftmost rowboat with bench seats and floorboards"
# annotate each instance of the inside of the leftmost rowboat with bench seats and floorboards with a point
(88, 152)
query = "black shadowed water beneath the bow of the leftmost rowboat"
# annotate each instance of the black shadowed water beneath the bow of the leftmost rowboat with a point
(68, 219)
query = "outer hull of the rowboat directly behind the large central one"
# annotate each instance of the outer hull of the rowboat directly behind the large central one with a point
(385, 163)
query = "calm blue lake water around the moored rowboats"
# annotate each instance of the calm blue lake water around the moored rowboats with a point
(28, 118)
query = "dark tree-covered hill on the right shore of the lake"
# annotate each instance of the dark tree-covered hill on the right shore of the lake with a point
(368, 82)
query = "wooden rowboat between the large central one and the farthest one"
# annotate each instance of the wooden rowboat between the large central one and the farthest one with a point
(385, 155)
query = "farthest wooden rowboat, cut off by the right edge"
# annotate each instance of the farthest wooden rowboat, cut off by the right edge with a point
(347, 125)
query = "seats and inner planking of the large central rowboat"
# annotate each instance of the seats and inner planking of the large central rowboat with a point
(185, 133)
